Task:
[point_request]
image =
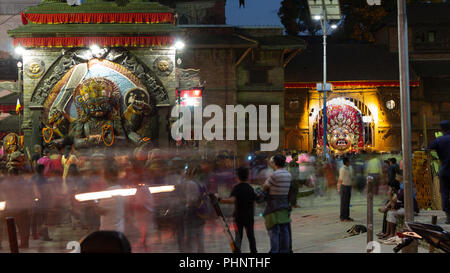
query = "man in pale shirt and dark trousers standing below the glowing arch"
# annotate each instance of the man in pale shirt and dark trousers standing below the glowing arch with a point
(344, 188)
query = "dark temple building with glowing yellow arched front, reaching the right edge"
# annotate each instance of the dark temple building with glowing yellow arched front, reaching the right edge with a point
(365, 78)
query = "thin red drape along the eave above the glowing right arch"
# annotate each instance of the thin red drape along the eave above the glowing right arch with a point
(351, 84)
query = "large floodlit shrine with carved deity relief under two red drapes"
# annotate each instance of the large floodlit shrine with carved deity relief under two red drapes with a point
(102, 74)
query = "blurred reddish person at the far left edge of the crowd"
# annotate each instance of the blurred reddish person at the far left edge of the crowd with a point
(19, 200)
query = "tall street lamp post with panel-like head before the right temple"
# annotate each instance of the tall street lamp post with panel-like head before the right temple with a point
(323, 10)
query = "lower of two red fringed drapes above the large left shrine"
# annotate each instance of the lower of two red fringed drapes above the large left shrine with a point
(144, 41)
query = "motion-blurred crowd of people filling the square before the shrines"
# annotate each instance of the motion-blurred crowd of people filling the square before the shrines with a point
(43, 193)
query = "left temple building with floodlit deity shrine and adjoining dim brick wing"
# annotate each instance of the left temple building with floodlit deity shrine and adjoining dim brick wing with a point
(100, 72)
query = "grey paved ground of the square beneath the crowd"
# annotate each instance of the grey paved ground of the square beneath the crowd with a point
(315, 226)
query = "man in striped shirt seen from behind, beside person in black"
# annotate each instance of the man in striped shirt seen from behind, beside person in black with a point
(277, 210)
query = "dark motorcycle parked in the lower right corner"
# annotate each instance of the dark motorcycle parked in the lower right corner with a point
(432, 234)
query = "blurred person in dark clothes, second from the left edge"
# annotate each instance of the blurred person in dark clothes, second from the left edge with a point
(43, 205)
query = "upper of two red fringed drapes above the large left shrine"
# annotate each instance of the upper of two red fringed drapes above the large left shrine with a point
(96, 18)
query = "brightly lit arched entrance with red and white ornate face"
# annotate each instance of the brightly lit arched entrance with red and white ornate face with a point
(350, 126)
